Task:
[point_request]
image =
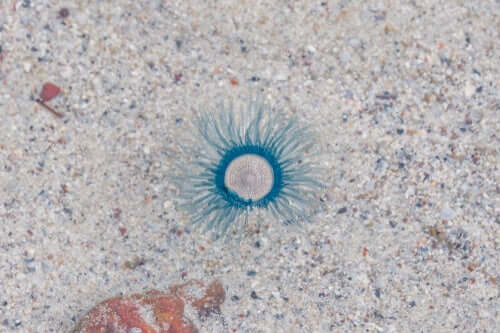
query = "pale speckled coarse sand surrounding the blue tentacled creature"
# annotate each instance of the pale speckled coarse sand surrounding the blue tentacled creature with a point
(404, 94)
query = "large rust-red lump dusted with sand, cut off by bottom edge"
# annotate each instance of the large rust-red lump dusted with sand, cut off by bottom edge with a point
(153, 312)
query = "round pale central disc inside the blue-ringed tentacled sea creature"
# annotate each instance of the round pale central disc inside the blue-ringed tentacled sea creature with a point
(249, 176)
